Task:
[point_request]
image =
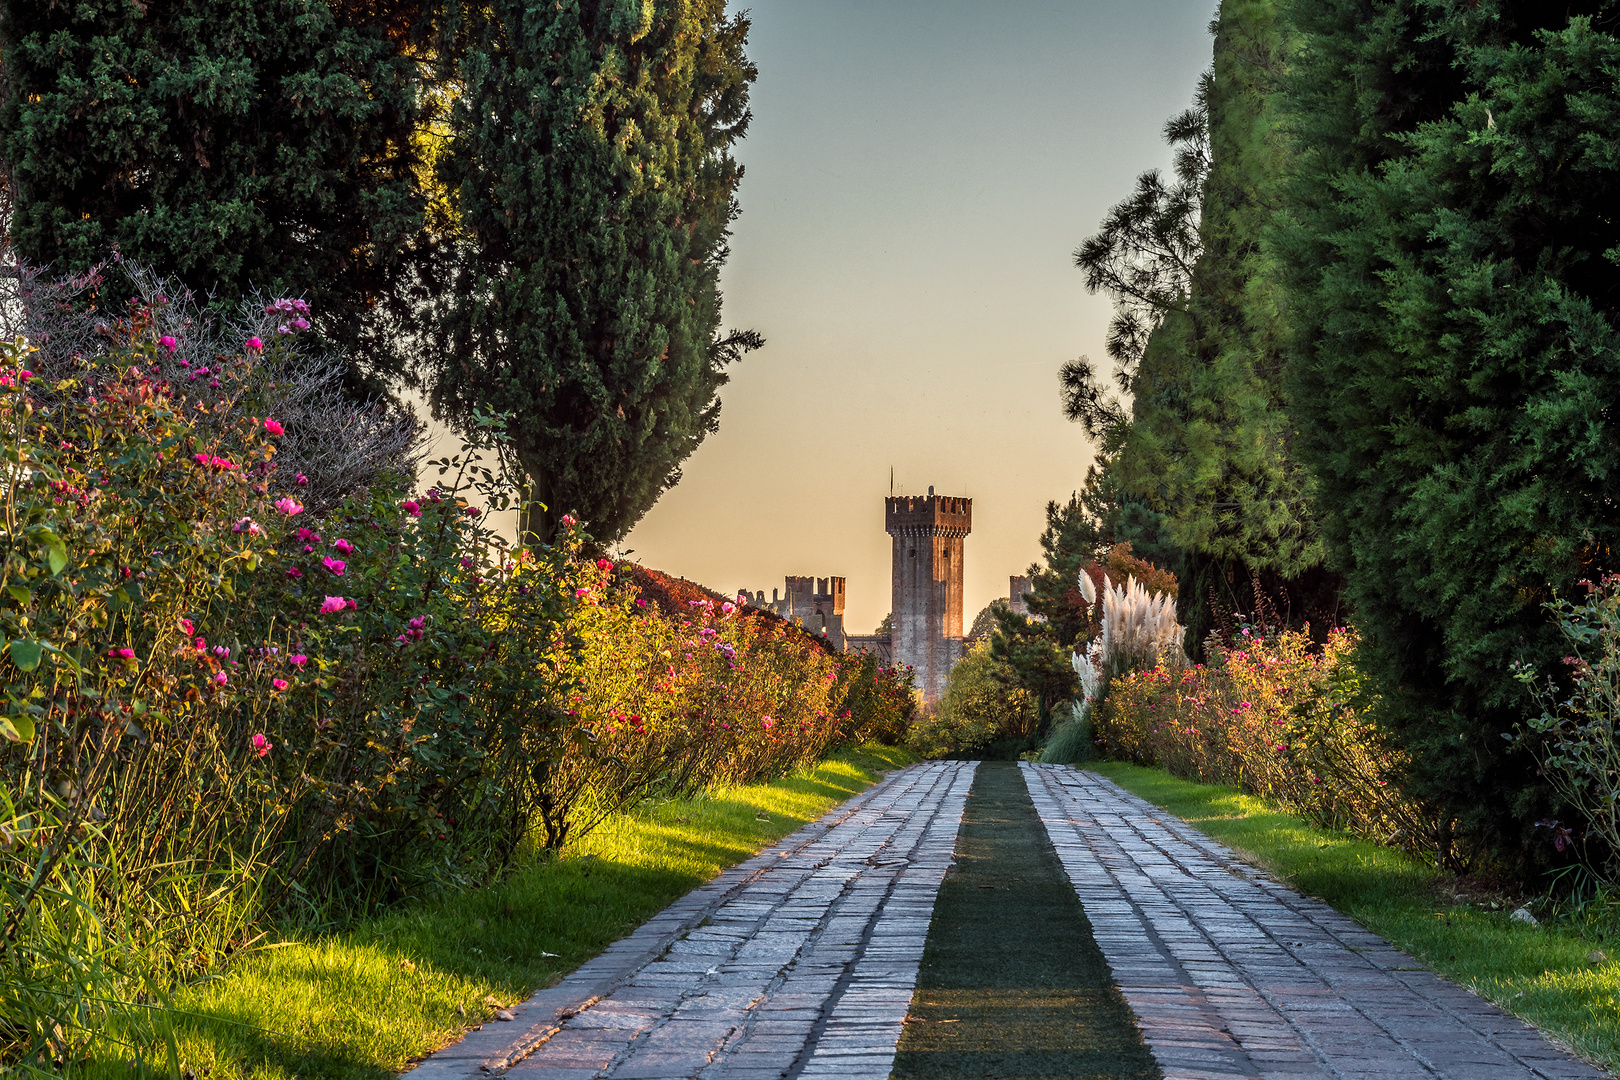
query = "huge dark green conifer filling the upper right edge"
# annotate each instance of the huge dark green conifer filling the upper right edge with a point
(1452, 279)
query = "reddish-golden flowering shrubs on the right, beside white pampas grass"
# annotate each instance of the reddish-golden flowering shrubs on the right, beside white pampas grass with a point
(1277, 720)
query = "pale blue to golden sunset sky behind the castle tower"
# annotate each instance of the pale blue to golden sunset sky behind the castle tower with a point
(919, 174)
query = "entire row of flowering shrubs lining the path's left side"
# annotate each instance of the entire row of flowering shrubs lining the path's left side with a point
(224, 708)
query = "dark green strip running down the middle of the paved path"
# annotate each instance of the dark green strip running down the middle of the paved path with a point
(1012, 982)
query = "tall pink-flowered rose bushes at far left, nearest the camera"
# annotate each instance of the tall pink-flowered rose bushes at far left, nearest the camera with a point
(210, 713)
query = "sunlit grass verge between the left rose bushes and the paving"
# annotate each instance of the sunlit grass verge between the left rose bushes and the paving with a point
(372, 1000)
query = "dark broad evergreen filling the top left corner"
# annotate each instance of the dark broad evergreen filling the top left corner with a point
(231, 143)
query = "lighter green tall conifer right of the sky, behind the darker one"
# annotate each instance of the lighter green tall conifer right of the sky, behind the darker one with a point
(1208, 454)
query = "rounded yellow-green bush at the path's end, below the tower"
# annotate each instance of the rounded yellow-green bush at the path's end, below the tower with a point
(981, 712)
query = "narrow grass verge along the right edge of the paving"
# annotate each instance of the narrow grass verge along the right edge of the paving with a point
(1548, 976)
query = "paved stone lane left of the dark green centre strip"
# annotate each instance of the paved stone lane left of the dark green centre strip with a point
(799, 963)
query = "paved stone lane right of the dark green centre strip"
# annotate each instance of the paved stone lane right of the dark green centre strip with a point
(1235, 976)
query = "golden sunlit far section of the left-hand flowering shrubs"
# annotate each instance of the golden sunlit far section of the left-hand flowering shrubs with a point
(717, 692)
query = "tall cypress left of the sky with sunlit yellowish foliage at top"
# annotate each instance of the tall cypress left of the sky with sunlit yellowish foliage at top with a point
(590, 172)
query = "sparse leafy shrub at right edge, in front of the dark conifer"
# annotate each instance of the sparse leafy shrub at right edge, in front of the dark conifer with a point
(1574, 739)
